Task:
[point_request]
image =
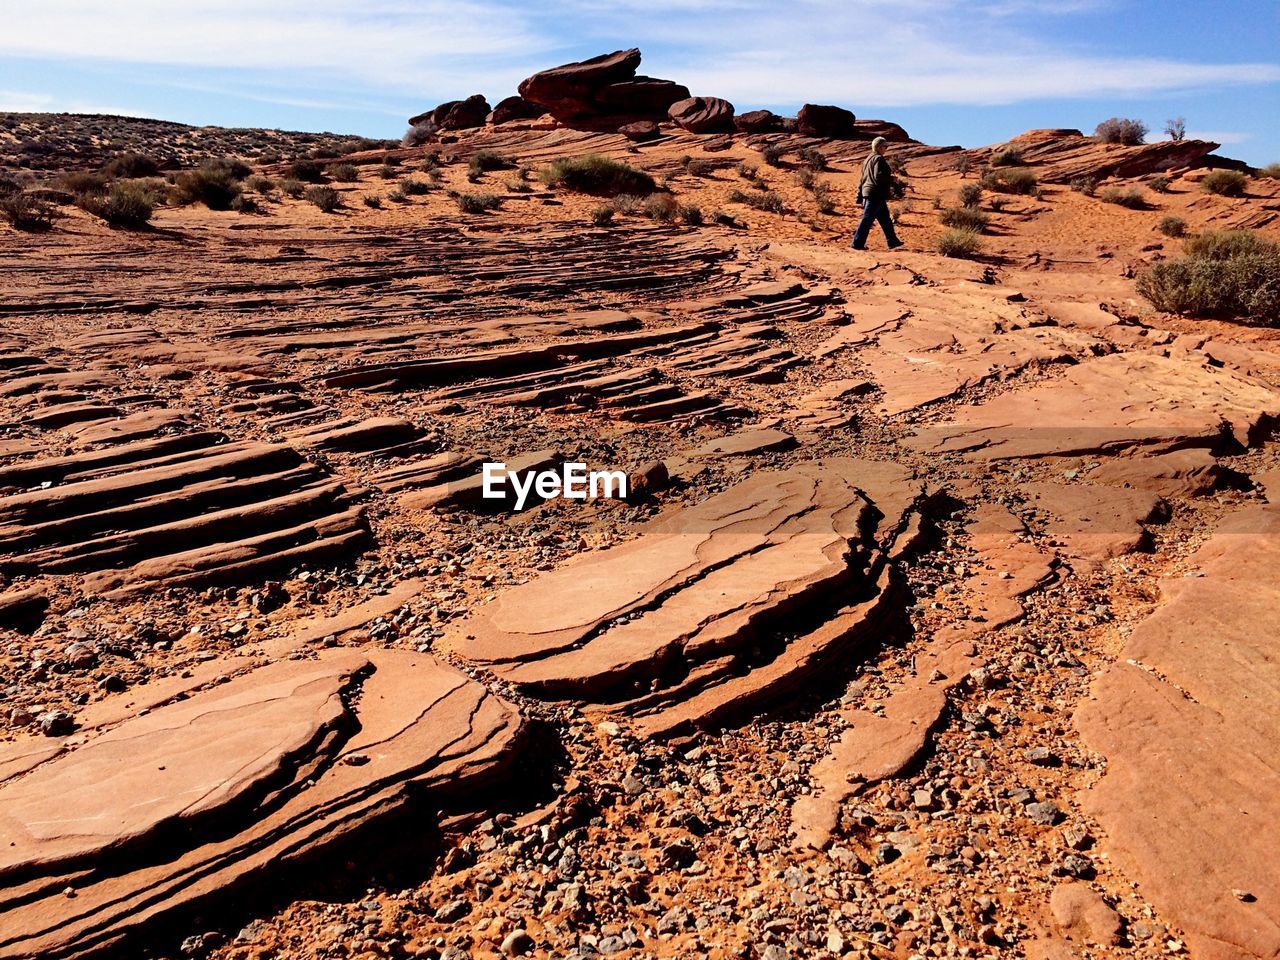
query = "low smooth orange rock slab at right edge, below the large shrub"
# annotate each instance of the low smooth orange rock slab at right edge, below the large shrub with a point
(1112, 405)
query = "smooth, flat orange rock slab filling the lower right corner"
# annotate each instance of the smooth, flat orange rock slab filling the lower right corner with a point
(1188, 723)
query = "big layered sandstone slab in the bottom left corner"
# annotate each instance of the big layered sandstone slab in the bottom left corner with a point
(240, 783)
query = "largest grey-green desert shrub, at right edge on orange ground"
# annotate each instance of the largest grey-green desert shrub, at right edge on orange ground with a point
(1224, 273)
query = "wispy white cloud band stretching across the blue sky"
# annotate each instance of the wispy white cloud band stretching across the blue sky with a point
(865, 53)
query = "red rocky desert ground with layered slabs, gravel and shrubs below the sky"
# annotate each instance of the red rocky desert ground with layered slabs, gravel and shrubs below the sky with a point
(939, 619)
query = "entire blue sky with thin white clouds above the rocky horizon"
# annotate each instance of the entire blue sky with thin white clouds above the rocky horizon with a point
(950, 72)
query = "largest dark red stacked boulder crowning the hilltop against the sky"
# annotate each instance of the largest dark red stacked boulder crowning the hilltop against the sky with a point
(604, 93)
